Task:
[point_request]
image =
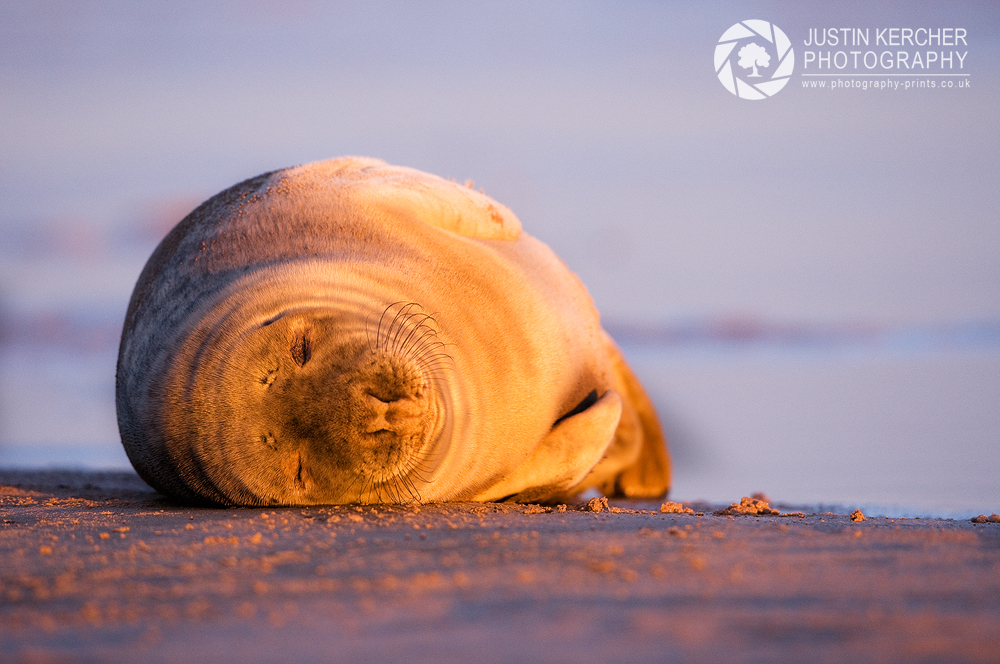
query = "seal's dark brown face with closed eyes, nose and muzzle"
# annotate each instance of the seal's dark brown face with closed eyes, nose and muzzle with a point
(354, 420)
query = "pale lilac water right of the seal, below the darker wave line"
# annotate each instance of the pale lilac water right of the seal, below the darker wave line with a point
(871, 426)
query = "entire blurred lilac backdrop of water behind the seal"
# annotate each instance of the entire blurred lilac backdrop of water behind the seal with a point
(808, 285)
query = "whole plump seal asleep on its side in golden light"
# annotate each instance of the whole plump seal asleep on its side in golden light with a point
(352, 332)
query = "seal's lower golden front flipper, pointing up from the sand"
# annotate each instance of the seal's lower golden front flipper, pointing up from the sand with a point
(564, 457)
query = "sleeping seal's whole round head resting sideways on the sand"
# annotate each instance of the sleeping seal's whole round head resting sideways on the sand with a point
(321, 406)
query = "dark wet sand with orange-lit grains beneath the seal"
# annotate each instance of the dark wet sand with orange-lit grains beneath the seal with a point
(99, 568)
